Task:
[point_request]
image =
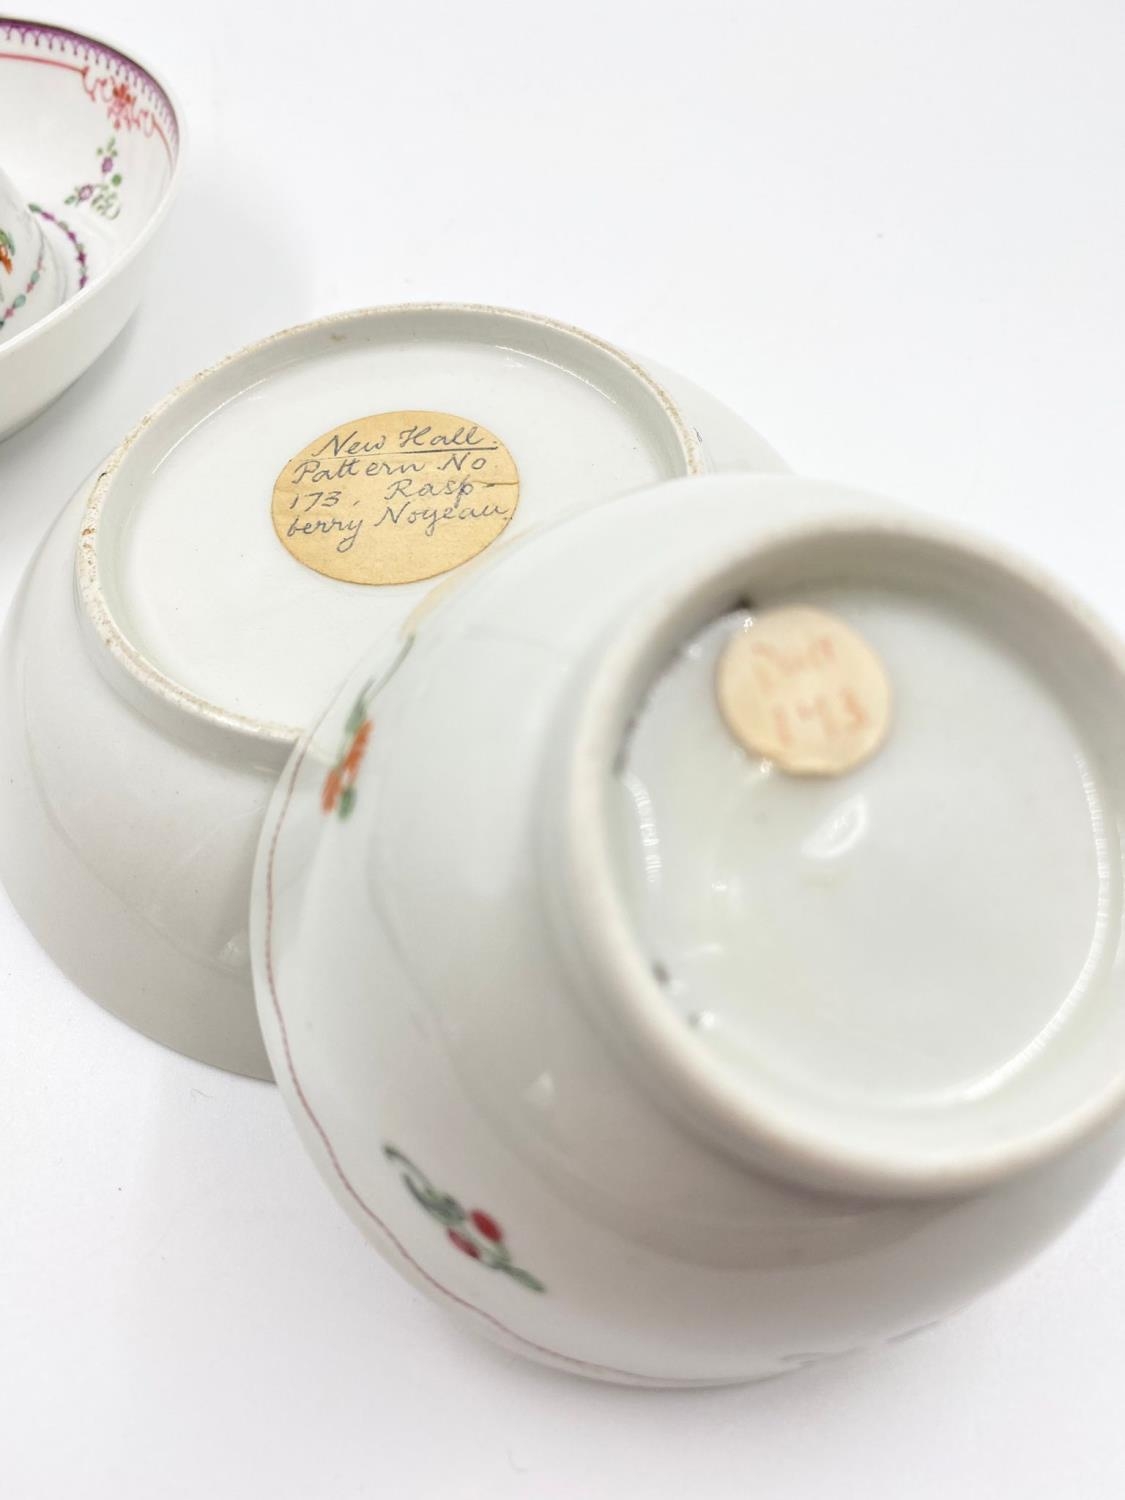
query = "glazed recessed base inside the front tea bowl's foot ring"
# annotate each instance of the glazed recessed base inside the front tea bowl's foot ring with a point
(737, 869)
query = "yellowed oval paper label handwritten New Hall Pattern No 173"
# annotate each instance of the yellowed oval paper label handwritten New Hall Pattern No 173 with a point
(397, 497)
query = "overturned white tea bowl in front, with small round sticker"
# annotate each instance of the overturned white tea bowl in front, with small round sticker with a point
(653, 1058)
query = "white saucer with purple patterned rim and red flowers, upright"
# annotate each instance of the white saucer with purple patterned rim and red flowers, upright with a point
(98, 172)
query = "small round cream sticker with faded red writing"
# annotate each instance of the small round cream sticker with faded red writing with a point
(805, 691)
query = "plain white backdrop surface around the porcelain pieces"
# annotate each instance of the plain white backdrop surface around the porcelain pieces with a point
(893, 235)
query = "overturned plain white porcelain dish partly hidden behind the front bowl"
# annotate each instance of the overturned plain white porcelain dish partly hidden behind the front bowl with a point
(143, 724)
